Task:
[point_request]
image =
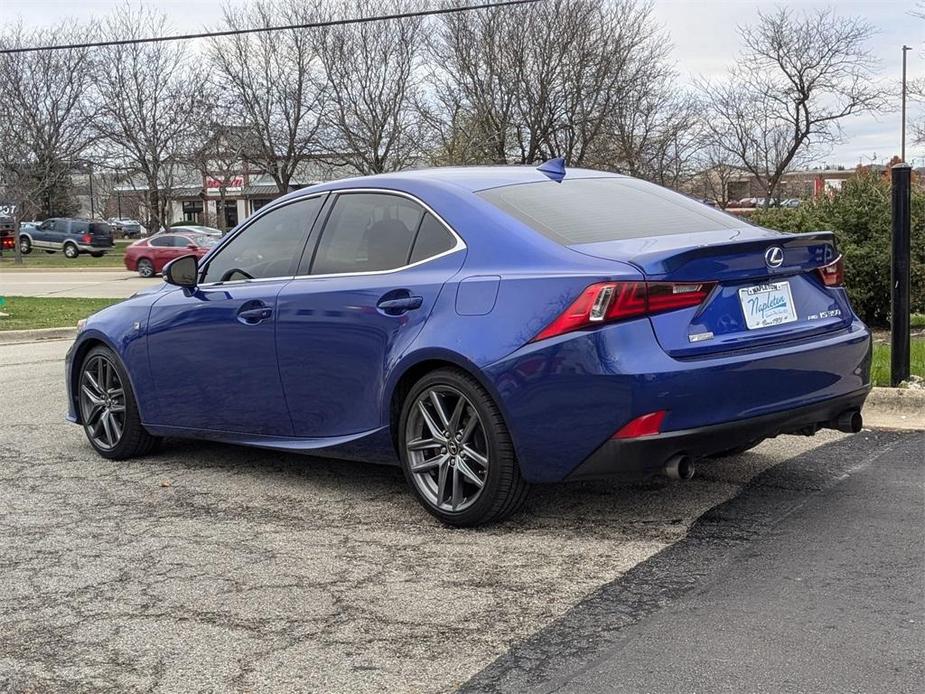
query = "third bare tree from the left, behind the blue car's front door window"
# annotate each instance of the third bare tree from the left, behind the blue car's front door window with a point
(273, 81)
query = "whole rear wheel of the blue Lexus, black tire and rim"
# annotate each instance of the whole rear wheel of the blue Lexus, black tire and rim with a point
(456, 452)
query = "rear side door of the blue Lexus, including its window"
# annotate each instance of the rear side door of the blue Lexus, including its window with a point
(357, 304)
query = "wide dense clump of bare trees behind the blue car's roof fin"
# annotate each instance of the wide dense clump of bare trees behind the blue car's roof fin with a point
(525, 84)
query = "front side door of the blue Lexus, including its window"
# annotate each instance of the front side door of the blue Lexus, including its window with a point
(212, 350)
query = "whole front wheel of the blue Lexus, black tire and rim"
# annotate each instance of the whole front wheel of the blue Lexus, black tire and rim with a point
(108, 408)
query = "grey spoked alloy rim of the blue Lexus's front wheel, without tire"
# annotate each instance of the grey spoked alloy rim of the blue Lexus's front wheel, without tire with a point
(102, 402)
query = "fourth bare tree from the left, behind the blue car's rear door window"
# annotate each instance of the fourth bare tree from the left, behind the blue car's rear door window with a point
(373, 74)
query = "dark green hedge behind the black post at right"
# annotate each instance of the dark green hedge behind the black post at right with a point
(859, 214)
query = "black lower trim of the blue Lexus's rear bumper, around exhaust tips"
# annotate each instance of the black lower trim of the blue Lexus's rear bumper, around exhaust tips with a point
(640, 458)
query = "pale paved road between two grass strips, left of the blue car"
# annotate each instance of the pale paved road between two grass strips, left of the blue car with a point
(115, 284)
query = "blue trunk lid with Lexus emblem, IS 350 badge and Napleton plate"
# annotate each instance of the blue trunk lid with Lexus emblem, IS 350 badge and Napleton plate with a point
(767, 286)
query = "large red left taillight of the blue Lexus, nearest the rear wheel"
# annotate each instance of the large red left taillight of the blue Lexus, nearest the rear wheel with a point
(606, 302)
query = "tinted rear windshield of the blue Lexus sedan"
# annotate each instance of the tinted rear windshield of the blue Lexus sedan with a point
(590, 210)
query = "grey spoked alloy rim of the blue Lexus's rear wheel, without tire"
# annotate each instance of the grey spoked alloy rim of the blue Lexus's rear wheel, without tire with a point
(446, 449)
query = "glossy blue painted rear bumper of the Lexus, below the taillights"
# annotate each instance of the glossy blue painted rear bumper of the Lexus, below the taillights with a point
(563, 399)
